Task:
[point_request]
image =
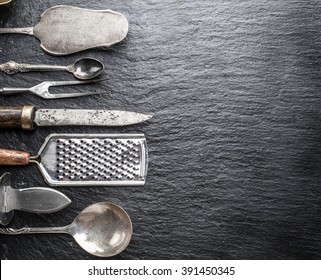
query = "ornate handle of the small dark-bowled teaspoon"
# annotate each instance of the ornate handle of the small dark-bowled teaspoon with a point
(12, 67)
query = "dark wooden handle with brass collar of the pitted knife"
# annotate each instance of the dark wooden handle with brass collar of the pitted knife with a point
(17, 117)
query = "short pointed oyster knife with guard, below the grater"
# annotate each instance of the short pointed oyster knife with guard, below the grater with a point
(36, 200)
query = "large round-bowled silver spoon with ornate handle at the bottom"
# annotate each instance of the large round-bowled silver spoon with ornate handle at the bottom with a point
(102, 229)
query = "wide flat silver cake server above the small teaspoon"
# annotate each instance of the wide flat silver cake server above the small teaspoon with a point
(64, 30)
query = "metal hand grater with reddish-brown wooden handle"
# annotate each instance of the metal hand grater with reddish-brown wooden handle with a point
(87, 159)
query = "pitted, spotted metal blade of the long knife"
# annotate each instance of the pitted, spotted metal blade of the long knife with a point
(67, 117)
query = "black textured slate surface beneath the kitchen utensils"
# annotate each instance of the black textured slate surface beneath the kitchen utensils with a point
(234, 145)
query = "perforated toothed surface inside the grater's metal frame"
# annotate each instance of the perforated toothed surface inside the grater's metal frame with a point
(97, 159)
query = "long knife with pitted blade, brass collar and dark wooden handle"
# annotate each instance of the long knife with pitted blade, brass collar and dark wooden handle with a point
(28, 117)
